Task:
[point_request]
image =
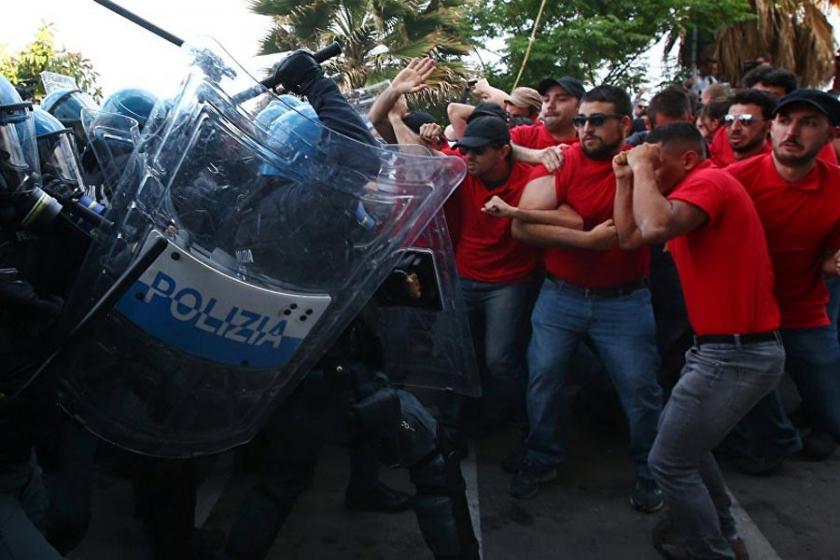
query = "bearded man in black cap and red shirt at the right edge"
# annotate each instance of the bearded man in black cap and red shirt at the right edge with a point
(798, 200)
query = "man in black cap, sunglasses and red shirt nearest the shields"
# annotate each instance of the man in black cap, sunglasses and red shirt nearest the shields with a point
(495, 269)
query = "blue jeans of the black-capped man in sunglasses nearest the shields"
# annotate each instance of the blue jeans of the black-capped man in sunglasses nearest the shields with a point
(498, 315)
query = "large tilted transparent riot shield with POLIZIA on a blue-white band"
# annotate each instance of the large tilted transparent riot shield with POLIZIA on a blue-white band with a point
(275, 241)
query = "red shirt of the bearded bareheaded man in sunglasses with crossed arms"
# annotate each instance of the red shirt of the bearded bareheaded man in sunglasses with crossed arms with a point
(588, 186)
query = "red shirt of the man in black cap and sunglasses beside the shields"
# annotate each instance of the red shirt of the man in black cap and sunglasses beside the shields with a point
(485, 250)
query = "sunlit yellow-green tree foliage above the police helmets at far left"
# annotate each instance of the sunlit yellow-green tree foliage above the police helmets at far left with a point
(42, 55)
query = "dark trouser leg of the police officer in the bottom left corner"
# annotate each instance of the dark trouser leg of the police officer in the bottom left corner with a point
(23, 506)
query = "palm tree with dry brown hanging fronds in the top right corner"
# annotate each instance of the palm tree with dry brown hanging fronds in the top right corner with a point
(795, 34)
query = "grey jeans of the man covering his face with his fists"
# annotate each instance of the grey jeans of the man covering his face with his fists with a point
(719, 384)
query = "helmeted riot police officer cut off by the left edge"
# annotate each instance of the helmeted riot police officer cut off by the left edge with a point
(25, 317)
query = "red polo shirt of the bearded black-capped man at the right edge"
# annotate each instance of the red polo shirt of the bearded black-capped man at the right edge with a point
(801, 221)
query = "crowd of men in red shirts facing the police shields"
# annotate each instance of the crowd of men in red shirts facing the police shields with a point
(688, 247)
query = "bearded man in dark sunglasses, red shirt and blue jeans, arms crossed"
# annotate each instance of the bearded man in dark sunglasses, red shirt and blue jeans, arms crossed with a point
(593, 289)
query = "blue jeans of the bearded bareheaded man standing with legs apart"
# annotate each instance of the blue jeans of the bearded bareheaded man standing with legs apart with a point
(622, 333)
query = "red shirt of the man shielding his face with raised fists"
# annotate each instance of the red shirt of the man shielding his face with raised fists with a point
(724, 265)
